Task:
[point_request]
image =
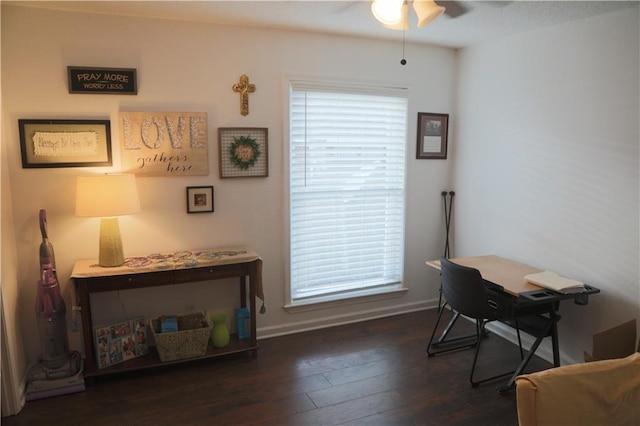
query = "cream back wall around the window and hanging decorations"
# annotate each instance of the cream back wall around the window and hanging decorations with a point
(191, 67)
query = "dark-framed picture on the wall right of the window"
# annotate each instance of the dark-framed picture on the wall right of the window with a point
(433, 130)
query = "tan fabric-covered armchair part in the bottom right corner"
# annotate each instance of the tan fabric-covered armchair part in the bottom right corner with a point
(595, 393)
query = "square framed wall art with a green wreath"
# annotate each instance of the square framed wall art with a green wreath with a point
(243, 152)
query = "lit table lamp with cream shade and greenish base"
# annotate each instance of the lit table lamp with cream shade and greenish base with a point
(108, 196)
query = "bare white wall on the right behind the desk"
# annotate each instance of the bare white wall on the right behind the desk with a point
(546, 161)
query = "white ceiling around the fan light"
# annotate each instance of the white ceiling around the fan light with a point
(483, 20)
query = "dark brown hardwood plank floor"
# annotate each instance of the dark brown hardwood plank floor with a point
(369, 373)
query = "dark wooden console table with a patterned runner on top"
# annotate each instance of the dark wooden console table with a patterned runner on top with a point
(166, 269)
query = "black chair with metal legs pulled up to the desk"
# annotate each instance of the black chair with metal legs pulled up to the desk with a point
(465, 291)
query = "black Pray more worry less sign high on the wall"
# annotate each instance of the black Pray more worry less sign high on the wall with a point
(102, 80)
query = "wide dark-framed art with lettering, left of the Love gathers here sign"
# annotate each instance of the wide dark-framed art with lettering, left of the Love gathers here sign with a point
(65, 143)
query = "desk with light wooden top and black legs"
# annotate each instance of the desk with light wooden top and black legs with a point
(508, 276)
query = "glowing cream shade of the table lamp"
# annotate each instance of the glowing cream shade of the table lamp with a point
(106, 195)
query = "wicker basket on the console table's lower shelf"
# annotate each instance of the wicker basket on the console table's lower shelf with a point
(189, 341)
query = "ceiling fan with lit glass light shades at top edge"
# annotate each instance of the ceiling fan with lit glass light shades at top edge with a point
(394, 14)
